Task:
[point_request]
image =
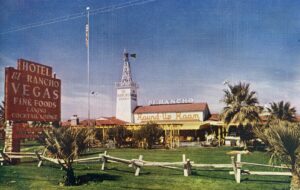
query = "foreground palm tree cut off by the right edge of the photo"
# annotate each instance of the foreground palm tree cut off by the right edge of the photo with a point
(283, 141)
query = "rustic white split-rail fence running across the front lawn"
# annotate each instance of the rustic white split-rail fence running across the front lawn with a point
(138, 163)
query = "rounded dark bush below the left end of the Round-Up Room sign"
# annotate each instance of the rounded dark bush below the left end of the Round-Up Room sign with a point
(151, 133)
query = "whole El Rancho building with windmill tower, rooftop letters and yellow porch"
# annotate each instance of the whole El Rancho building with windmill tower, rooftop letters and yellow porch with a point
(181, 120)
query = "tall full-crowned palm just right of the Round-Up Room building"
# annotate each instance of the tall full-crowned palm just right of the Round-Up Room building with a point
(241, 108)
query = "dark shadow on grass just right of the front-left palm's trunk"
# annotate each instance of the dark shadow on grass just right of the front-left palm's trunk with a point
(94, 177)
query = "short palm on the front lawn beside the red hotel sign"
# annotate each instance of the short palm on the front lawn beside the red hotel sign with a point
(67, 144)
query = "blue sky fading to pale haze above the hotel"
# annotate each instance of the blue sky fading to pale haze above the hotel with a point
(184, 48)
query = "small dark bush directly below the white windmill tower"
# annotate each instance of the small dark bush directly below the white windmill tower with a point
(119, 134)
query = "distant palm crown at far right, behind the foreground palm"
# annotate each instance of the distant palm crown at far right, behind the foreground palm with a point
(282, 111)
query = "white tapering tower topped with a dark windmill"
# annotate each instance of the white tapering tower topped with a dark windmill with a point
(126, 92)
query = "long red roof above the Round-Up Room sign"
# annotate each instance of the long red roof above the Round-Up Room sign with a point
(188, 107)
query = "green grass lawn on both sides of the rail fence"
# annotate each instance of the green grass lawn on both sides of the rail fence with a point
(119, 176)
